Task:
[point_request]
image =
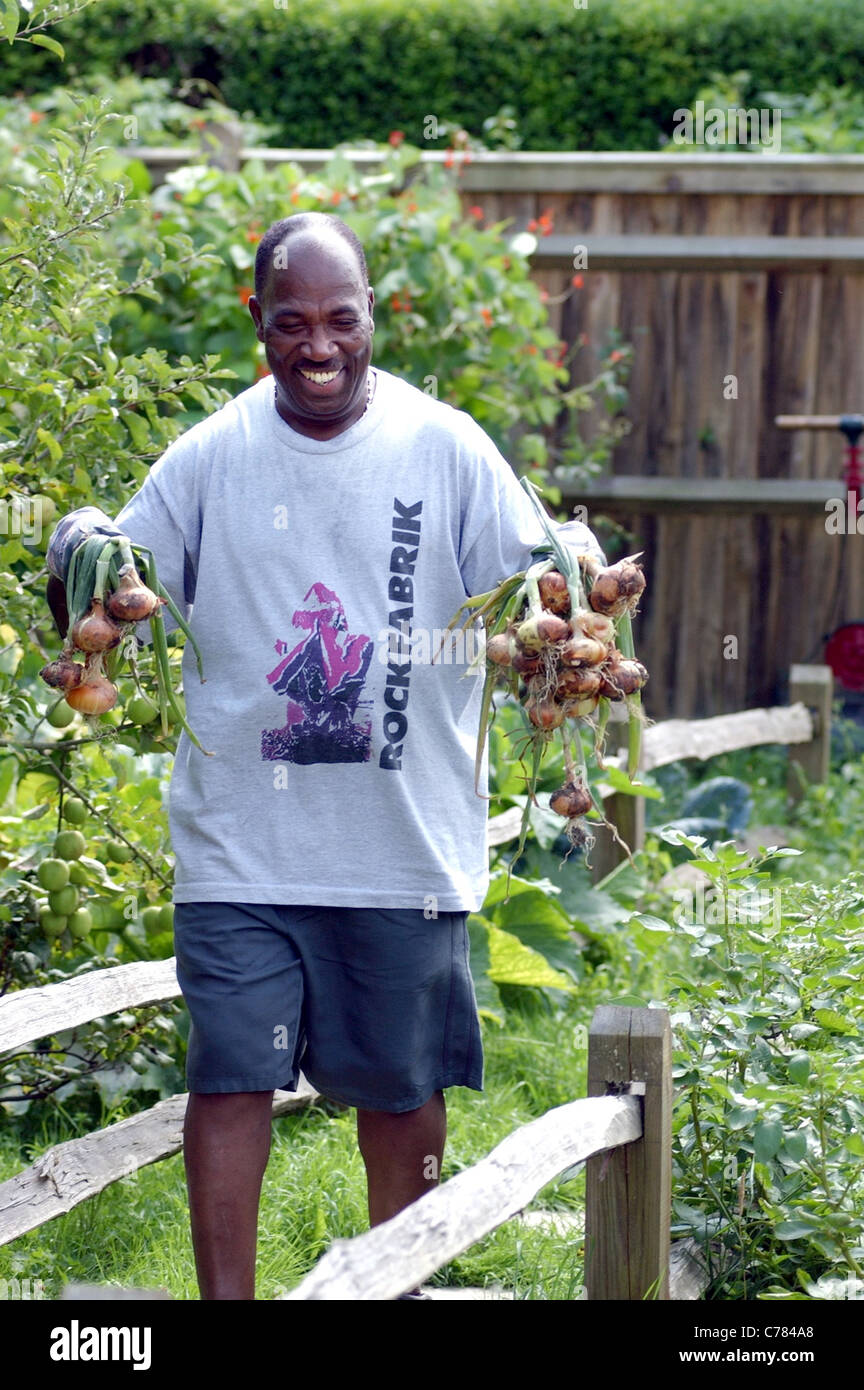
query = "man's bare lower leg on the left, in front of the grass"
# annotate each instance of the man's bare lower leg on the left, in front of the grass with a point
(226, 1150)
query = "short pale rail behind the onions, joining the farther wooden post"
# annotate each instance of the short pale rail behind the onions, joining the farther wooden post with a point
(723, 733)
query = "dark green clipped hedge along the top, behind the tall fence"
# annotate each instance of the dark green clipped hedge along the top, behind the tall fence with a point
(605, 77)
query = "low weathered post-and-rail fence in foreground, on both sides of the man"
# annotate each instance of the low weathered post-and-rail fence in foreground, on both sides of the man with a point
(622, 1132)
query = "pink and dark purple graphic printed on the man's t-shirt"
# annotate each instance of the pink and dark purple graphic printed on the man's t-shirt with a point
(323, 678)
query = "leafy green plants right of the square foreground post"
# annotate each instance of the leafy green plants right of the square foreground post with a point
(766, 997)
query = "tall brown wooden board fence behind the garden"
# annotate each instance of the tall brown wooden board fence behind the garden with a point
(740, 283)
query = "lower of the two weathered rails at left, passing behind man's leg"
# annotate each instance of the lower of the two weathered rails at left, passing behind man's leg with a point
(80, 1168)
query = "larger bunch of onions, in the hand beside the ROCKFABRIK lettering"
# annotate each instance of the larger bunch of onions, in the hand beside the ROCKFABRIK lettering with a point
(560, 637)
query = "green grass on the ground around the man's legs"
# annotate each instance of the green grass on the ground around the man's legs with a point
(137, 1232)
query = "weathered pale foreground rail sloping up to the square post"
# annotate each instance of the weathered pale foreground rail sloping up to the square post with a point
(404, 1252)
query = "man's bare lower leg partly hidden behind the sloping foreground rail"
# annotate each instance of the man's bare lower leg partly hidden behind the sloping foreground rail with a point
(402, 1154)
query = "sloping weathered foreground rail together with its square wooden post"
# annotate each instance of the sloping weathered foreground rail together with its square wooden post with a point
(627, 1221)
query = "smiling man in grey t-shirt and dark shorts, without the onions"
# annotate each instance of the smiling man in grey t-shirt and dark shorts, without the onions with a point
(330, 853)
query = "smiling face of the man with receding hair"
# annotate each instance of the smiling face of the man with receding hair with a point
(316, 323)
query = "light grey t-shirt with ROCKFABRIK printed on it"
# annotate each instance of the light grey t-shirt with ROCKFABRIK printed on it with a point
(319, 578)
